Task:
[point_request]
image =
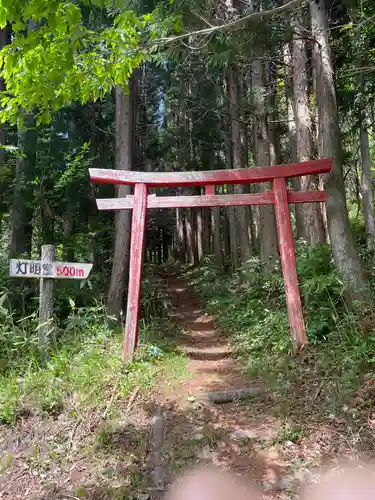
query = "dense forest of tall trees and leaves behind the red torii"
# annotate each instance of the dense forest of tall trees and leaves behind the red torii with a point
(243, 85)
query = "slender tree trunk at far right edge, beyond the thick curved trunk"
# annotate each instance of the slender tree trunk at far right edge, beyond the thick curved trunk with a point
(367, 182)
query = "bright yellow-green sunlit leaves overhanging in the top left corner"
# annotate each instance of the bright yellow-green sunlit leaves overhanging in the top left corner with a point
(57, 58)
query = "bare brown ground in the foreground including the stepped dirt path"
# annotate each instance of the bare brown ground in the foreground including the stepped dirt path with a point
(108, 458)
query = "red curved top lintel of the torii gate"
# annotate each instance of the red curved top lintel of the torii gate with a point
(185, 179)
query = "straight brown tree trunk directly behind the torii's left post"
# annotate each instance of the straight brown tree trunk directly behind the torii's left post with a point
(123, 161)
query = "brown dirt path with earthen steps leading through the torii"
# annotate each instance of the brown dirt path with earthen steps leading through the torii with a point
(221, 434)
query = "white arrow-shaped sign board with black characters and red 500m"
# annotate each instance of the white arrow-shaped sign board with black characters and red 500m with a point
(22, 268)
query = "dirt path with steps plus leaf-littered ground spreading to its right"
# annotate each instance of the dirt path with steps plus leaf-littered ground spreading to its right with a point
(253, 438)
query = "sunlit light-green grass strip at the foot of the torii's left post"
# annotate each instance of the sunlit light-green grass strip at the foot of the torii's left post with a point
(81, 373)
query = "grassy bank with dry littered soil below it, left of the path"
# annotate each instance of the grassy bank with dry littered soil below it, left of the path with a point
(77, 425)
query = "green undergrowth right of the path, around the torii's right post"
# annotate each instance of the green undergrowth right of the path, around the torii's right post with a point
(251, 306)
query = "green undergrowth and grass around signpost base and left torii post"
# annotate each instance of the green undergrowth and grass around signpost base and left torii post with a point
(85, 368)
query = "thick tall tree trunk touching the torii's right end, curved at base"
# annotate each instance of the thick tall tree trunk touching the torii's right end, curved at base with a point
(343, 248)
